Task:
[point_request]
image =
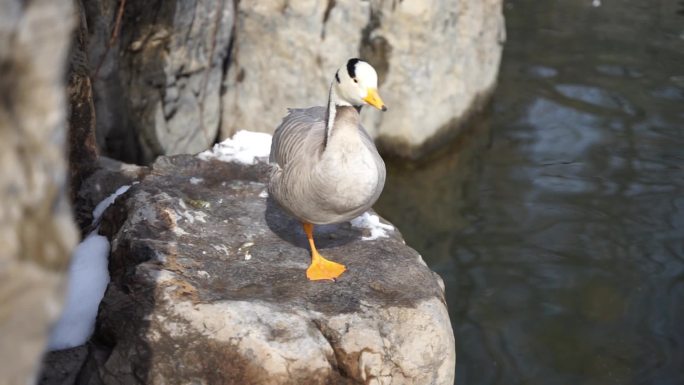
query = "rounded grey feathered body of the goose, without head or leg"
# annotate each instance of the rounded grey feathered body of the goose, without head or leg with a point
(323, 181)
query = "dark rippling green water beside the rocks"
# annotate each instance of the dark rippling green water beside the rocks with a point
(558, 223)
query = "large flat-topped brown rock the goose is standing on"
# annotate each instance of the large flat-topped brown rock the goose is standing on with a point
(208, 286)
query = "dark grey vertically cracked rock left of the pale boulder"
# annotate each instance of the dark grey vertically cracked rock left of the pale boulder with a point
(157, 87)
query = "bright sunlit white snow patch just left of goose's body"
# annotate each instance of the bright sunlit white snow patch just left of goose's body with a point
(244, 147)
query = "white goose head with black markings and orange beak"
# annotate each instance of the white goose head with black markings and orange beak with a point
(356, 84)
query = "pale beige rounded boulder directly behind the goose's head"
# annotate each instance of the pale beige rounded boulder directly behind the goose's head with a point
(437, 62)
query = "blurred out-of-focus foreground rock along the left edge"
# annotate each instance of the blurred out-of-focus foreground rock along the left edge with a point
(36, 229)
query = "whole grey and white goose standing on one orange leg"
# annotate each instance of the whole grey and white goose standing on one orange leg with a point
(326, 167)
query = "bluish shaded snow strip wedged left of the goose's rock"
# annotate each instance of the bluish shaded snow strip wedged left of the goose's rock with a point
(88, 279)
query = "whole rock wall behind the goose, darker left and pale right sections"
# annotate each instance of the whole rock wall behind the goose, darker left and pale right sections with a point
(170, 73)
